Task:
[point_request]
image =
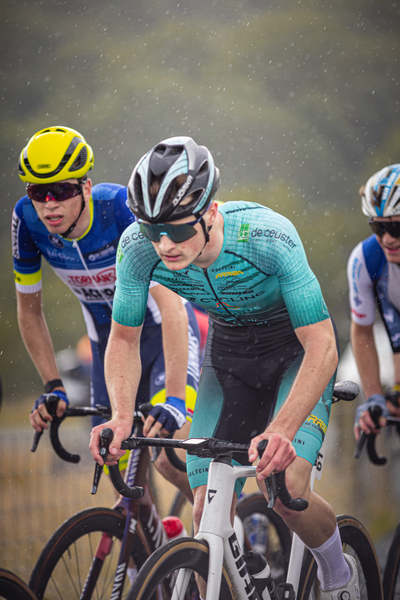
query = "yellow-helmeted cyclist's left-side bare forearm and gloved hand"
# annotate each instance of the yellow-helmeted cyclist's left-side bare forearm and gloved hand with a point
(35, 334)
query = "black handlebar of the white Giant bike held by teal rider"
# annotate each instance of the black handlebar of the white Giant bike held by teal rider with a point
(204, 448)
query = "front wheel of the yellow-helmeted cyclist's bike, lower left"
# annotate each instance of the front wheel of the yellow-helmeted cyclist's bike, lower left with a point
(70, 562)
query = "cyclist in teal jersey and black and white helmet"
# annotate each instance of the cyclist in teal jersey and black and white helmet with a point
(271, 352)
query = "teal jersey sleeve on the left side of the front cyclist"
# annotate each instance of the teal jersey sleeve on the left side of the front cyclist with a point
(133, 279)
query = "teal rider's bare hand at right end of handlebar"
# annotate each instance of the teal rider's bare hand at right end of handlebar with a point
(277, 456)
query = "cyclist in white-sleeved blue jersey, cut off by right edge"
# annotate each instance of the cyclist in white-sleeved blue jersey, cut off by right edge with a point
(373, 272)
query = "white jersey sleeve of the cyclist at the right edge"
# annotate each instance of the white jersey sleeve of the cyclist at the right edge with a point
(361, 288)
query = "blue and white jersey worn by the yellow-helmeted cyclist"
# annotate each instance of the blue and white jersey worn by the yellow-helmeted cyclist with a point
(87, 264)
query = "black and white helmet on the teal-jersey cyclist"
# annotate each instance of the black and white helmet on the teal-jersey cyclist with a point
(165, 177)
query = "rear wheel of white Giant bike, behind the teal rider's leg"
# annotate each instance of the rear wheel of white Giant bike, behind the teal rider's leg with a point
(356, 541)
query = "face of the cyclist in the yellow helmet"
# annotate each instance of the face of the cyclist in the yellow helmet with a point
(58, 216)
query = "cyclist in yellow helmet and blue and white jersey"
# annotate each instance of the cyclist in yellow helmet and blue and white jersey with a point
(76, 228)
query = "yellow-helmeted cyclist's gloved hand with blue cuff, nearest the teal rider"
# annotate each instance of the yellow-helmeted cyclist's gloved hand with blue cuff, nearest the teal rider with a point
(165, 418)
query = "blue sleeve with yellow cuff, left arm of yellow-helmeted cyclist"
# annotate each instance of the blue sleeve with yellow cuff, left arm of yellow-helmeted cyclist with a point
(26, 255)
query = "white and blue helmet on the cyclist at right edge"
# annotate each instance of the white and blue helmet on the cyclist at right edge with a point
(381, 195)
